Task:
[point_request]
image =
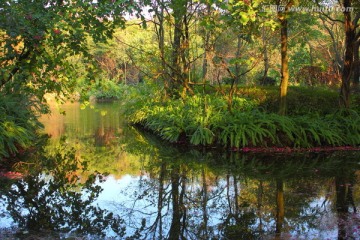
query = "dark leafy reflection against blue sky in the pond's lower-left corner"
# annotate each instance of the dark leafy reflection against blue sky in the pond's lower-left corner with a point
(52, 198)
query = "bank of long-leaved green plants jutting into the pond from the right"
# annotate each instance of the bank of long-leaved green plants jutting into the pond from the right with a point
(205, 119)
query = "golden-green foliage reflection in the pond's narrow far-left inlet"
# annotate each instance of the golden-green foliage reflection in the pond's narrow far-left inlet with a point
(97, 134)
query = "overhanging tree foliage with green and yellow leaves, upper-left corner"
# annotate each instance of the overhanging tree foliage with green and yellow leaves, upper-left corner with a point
(37, 39)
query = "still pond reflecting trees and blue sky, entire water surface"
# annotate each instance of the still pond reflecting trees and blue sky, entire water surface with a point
(98, 178)
